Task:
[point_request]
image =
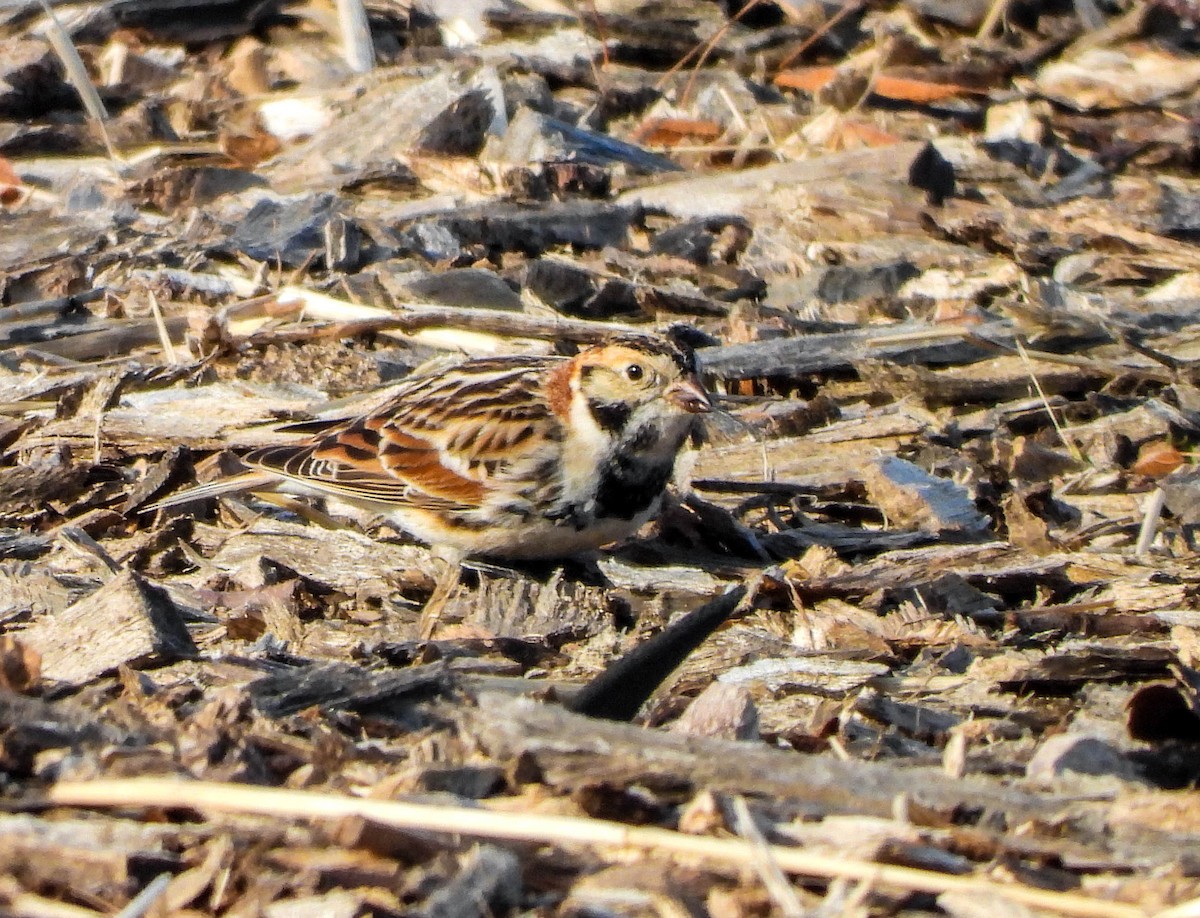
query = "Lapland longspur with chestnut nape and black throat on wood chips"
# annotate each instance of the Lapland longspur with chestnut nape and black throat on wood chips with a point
(513, 458)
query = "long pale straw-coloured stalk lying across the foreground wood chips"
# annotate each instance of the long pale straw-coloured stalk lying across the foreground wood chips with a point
(597, 835)
